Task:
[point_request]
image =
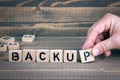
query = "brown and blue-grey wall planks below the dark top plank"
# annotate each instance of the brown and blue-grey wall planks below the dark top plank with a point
(63, 21)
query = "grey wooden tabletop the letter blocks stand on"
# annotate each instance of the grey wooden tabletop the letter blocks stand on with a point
(102, 69)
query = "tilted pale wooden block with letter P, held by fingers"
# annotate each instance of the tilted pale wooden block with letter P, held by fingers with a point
(86, 56)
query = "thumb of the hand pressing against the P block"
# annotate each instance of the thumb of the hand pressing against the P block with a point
(102, 46)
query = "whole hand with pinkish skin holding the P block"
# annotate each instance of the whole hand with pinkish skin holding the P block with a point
(104, 35)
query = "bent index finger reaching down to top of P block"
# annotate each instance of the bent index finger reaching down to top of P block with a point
(103, 25)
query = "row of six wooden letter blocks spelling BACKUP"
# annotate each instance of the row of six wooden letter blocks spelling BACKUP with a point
(31, 55)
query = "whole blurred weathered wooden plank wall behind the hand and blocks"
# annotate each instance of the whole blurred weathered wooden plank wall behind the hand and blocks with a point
(52, 17)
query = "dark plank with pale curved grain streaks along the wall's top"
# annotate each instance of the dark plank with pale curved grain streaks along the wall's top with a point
(60, 3)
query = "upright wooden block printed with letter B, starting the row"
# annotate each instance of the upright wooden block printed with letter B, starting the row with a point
(15, 55)
